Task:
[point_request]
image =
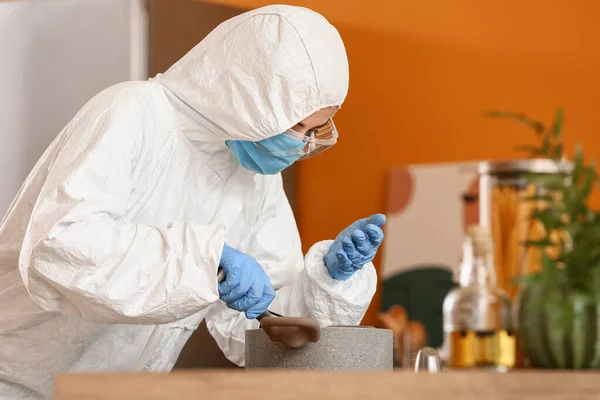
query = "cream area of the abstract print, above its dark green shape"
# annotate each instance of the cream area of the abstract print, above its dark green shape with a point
(429, 230)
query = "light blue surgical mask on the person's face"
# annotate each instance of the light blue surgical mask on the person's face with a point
(268, 156)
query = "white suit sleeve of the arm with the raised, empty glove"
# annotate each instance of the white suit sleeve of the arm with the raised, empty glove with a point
(303, 287)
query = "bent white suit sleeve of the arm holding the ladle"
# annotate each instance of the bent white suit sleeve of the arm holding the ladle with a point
(81, 256)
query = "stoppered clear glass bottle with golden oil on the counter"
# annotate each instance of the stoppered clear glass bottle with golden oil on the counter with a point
(477, 314)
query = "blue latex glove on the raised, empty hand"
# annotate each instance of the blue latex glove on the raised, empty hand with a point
(354, 247)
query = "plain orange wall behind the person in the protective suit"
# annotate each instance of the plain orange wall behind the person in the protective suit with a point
(421, 74)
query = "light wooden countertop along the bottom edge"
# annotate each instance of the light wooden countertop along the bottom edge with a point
(311, 385)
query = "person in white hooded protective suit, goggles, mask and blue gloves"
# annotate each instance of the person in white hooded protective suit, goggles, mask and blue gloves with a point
(109, 253)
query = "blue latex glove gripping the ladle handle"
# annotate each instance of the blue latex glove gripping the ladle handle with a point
(246, 286)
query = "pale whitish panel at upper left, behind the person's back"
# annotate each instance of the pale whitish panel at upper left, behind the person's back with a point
(54, 56)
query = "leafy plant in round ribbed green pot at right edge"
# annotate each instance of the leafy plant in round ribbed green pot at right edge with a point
(558, 309)
